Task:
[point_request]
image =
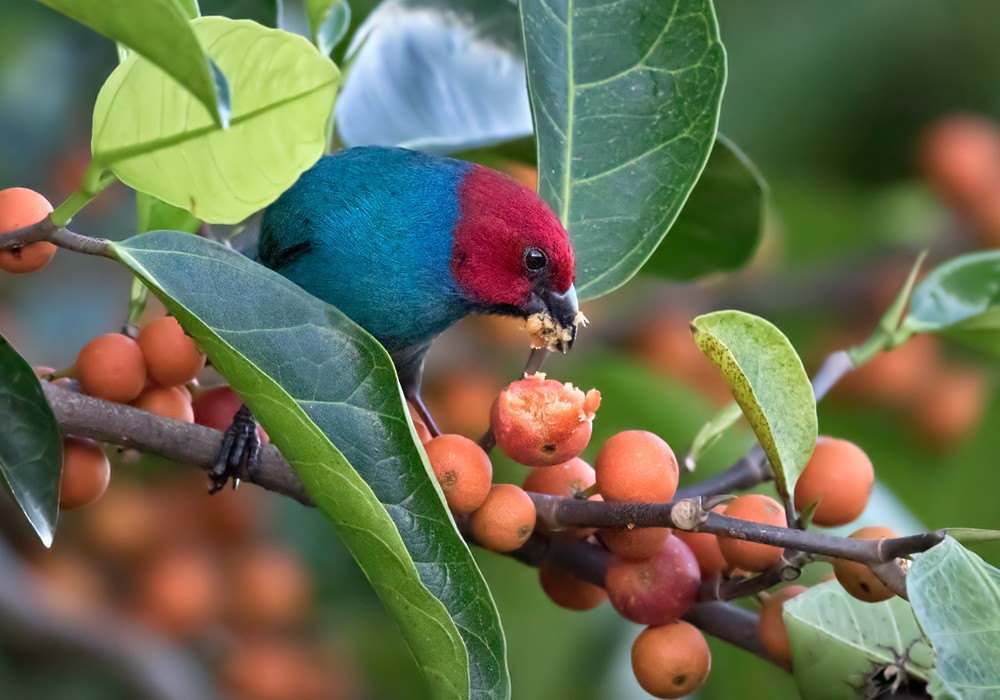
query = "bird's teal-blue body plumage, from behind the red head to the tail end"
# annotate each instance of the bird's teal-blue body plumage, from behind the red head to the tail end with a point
(369, 230)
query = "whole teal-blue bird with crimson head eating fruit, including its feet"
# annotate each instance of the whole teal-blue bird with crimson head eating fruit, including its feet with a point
(406, 244)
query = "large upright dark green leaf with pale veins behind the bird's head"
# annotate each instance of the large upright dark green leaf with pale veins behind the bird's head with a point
(626, 98)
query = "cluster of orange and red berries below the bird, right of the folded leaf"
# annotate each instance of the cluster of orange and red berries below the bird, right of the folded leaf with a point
(654, 574)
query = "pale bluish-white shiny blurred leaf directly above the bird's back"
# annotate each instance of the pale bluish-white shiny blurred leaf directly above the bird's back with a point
(435, 76)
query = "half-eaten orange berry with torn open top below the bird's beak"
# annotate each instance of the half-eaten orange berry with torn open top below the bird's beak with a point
(540, 422)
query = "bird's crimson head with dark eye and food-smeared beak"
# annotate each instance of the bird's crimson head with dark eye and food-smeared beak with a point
(512, 255)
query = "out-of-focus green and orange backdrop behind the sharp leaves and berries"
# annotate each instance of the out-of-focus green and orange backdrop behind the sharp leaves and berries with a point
(253, 596)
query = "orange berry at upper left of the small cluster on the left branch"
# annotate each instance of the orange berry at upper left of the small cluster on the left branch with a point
(111, 367)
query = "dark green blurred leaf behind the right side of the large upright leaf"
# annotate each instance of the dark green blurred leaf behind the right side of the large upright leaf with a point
(721, 223)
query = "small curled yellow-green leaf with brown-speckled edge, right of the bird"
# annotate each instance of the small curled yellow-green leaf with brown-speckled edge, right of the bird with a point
(770, 385)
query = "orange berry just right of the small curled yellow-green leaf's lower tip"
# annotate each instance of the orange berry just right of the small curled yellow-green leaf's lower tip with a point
(839, 476)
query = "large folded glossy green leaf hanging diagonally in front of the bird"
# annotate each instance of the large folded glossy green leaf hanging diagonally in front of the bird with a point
(328, 396)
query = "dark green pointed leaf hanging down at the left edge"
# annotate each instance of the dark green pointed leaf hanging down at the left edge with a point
(30, 444)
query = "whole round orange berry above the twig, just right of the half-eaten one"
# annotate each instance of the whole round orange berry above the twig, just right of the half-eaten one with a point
(636, 465)
